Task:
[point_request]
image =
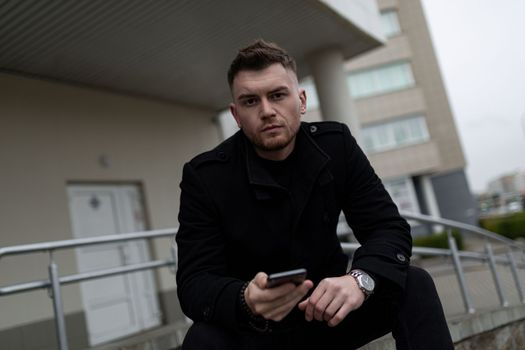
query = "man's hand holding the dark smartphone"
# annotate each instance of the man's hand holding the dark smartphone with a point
(274, 303)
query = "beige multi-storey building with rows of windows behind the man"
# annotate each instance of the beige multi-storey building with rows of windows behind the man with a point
(406, 125)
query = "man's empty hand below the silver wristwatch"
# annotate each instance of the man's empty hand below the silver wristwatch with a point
(333, 299)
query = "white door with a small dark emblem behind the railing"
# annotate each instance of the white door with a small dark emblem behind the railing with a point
(124, 304)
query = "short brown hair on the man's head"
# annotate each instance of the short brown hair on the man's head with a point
(257, 56)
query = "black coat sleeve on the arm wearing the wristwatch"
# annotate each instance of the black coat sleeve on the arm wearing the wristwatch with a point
(385, 238)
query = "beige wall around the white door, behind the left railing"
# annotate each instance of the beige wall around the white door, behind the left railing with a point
(52, 134)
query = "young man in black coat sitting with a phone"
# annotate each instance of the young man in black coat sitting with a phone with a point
(267, 200)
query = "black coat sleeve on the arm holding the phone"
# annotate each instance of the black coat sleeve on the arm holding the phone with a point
(205, 291)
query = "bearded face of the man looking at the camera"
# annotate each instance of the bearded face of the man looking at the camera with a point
(267, 106)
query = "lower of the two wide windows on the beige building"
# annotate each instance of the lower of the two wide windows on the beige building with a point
(394, 134)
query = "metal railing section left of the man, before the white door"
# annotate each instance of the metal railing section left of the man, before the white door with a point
(54, 281)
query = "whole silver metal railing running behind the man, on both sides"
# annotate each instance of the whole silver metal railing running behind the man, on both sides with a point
(54, 281)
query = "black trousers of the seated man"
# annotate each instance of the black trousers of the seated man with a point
(415, 319)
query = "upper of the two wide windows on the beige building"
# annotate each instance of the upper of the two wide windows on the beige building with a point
(381, 80)
